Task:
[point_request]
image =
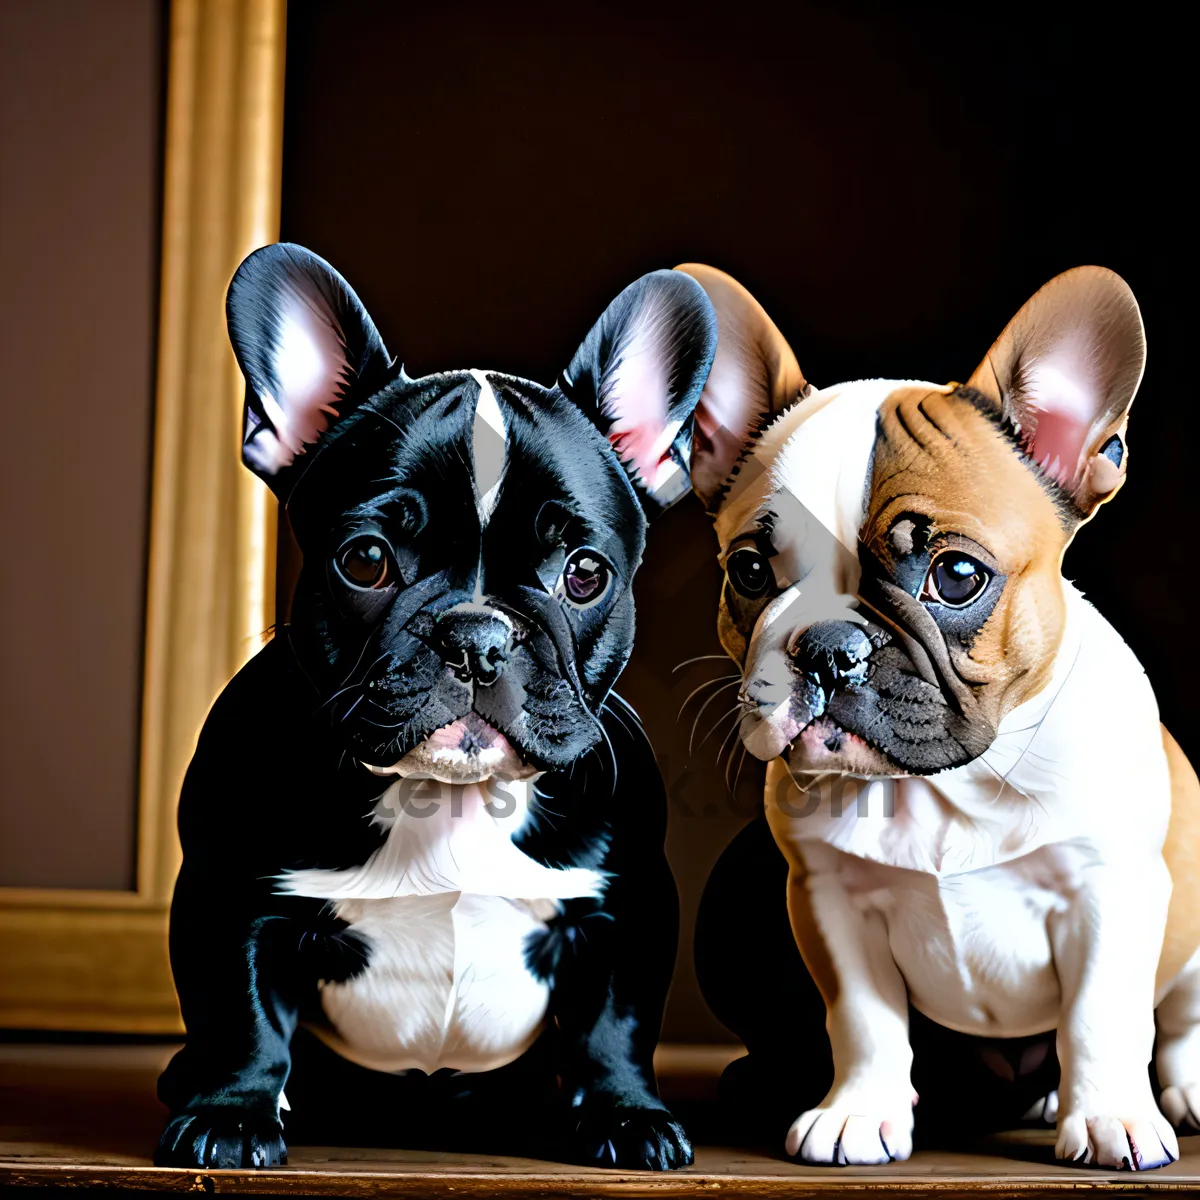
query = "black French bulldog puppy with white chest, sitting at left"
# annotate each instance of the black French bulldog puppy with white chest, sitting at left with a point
(419, 823)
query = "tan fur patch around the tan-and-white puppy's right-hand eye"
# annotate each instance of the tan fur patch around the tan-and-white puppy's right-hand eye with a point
(939, 457)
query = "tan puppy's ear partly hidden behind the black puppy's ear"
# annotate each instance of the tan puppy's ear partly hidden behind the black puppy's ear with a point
(754, 377)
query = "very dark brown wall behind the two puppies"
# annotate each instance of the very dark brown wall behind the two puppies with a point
(891, 181)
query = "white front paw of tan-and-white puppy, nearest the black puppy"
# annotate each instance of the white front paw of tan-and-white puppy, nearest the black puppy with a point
(853, 1129)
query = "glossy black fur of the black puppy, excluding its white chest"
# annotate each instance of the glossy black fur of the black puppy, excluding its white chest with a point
(363, 675)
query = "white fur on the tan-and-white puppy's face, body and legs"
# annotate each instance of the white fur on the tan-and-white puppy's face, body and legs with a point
(1023, 892)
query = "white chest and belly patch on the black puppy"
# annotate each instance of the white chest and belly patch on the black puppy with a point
(447, 905)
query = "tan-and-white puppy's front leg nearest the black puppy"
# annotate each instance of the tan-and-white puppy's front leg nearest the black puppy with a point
(867, 1118)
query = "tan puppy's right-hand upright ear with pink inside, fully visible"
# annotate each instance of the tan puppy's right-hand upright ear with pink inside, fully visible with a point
(1064, 375)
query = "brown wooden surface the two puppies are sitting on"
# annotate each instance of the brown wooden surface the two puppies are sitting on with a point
(85, 1117)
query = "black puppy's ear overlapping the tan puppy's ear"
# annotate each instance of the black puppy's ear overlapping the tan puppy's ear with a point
(639, 376)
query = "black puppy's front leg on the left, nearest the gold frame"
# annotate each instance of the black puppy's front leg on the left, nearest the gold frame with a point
(224, 1088)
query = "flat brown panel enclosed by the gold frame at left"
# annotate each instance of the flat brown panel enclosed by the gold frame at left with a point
(80, 182)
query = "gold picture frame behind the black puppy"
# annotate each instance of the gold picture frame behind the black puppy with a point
(98, 961)
